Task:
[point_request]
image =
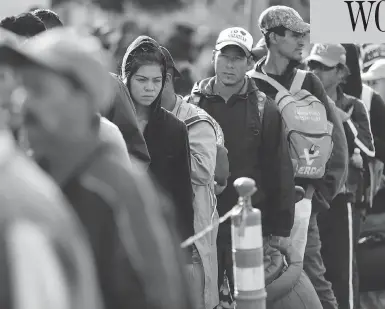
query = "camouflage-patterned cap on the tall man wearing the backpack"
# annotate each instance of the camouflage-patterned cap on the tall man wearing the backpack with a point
(280, 15)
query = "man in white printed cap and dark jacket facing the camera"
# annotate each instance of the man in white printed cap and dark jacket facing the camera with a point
(256, 148)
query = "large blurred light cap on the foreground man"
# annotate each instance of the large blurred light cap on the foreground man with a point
(68, 53)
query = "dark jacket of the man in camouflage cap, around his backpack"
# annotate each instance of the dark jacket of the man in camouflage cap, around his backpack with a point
(328, 187)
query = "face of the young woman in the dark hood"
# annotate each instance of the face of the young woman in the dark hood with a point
(146, 84)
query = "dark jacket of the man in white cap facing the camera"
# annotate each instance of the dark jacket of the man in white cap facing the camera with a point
(255, 149)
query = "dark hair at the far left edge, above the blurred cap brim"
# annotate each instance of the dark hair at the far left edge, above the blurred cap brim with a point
(26, 24)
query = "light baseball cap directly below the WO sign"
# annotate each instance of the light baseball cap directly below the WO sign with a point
(328, 54)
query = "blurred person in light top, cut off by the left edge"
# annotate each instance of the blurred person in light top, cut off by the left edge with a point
(45, 259)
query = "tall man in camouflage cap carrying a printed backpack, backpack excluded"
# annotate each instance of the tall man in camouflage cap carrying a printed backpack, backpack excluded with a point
(285, 34)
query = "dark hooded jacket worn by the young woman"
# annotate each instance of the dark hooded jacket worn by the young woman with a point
(167, 142)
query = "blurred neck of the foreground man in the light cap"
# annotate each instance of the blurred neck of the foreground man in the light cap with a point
(66, 158)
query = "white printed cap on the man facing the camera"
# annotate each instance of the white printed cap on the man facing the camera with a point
(235, 36)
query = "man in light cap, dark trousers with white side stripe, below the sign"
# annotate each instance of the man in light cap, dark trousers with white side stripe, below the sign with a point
(336, 225)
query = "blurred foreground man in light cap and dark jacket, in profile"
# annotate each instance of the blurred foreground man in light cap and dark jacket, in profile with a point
(66, 80)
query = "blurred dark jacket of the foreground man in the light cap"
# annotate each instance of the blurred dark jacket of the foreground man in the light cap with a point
(133, 247)
